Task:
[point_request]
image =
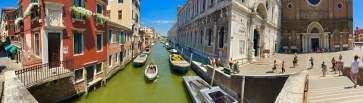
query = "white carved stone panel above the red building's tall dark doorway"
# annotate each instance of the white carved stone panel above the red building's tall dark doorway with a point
(54, 16)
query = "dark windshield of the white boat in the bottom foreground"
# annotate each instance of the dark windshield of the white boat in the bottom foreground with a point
(219, 97)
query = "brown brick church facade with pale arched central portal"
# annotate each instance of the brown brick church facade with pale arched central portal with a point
(315, 25)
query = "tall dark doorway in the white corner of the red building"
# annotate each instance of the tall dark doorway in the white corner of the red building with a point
(54, 42)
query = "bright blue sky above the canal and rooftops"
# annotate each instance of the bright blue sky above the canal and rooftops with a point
(161, 14)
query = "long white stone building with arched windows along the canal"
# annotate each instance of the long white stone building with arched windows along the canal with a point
(229, 29)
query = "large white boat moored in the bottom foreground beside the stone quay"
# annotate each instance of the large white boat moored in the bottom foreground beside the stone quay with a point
(202, 92)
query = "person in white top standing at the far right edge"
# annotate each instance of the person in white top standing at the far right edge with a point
(354, 70)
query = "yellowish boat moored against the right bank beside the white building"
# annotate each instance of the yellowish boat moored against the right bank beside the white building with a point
(178, 64)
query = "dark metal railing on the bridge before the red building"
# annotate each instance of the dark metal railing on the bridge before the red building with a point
(38, 74)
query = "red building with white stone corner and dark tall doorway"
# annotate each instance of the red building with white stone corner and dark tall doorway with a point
(65, 33)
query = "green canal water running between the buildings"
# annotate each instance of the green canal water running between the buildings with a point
(129, 85)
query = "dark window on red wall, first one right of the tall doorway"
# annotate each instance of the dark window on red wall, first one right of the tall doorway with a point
(77, 43)
